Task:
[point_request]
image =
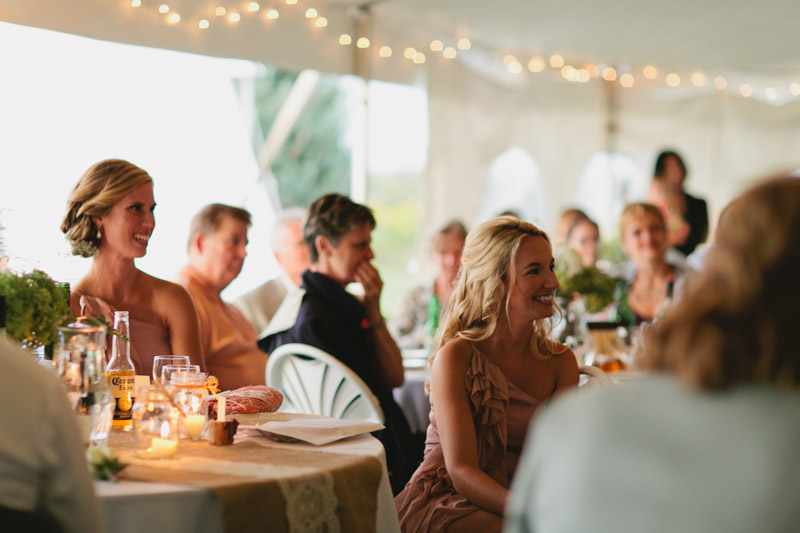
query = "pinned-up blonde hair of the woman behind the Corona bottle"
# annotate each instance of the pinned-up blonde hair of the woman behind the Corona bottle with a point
(97, 191)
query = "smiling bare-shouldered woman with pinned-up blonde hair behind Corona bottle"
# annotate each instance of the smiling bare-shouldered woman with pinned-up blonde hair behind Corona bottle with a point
(110, 217)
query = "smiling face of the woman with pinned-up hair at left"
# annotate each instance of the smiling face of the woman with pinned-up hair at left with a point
(127, 228)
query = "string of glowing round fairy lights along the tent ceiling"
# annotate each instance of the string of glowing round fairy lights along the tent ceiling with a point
(536, 64)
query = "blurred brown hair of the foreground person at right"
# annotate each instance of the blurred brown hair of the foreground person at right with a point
(738, 320)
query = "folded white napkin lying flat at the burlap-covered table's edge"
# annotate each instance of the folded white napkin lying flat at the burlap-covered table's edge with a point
(317, 431)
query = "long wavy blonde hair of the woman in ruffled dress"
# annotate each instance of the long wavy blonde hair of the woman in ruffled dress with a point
(488, 259)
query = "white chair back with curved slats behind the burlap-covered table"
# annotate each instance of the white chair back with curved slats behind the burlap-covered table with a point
(314, 382)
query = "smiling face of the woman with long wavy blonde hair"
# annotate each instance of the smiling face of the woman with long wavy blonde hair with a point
(534, 281)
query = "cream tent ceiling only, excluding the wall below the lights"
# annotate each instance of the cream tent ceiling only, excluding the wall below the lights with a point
(719, 37)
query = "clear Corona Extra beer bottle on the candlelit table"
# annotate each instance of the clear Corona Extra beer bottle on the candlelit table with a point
(120, 371)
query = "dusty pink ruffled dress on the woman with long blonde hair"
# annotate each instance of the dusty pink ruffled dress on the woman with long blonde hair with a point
(502, 412)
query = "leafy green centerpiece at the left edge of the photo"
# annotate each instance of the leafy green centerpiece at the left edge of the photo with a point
(34, 303)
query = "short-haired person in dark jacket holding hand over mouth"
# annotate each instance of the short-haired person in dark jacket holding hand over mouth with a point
(338, 233)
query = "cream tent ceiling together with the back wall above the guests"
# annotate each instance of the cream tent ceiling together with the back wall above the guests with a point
(735, 114)
